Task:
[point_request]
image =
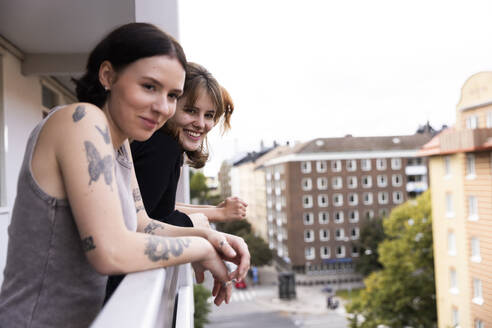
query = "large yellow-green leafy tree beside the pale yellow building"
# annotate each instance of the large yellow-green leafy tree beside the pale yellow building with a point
(402, 293)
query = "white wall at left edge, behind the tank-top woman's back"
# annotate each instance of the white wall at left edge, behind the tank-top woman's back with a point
(22, 110)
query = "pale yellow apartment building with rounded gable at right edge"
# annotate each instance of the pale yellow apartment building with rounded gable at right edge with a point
(460, 165)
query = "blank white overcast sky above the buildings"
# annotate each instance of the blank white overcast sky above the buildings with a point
(299, 70)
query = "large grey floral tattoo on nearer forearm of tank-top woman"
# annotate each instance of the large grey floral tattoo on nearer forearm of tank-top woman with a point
(158, 248)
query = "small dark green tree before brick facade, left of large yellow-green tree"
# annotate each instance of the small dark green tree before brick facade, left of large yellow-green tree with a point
(371, 235)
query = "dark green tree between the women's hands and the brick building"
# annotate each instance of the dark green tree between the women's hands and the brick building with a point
(260, 253)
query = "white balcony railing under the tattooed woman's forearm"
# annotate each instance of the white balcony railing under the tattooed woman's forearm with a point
(147, 300)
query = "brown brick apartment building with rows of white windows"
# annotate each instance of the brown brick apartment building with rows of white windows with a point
(318, 196)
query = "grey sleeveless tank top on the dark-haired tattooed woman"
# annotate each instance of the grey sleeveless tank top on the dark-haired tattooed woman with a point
(48, 281)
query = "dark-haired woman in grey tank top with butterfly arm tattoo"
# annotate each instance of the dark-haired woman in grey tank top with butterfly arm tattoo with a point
(74, 220)
